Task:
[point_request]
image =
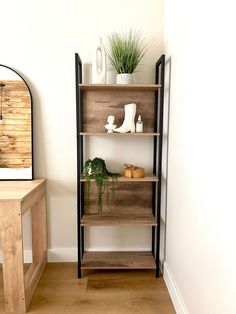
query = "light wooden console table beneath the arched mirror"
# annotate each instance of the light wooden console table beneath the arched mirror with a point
(16, 197)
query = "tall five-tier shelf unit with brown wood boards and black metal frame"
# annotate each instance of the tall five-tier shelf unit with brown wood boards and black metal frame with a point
(142, 202)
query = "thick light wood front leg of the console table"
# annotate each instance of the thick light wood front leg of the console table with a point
(13, 259)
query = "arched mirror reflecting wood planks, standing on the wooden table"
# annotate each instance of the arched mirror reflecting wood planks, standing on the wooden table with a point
(16, 158)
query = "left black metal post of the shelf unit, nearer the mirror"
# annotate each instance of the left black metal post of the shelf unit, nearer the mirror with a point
(79, 122)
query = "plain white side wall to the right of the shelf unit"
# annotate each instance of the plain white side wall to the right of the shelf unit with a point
(201, 257)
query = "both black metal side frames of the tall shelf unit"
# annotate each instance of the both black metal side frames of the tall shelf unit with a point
(157, 159)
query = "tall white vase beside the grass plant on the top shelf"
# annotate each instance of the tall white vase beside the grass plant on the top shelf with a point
(99, 64)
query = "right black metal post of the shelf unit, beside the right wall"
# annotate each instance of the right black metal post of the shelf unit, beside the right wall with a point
(160, 68)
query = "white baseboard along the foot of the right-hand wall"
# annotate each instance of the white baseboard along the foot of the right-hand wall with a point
(175, 295)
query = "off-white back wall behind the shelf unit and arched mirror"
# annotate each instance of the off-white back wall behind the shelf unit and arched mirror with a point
(39, 39)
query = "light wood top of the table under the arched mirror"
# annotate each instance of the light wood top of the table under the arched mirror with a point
(18, 190)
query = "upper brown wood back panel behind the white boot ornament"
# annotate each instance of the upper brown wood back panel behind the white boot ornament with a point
(99, 104)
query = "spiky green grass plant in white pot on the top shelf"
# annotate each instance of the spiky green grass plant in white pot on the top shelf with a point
(125, 51)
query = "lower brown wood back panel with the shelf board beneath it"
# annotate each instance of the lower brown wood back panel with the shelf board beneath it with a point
(129, 202)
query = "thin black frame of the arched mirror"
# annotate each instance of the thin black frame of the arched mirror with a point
(32, 146)
